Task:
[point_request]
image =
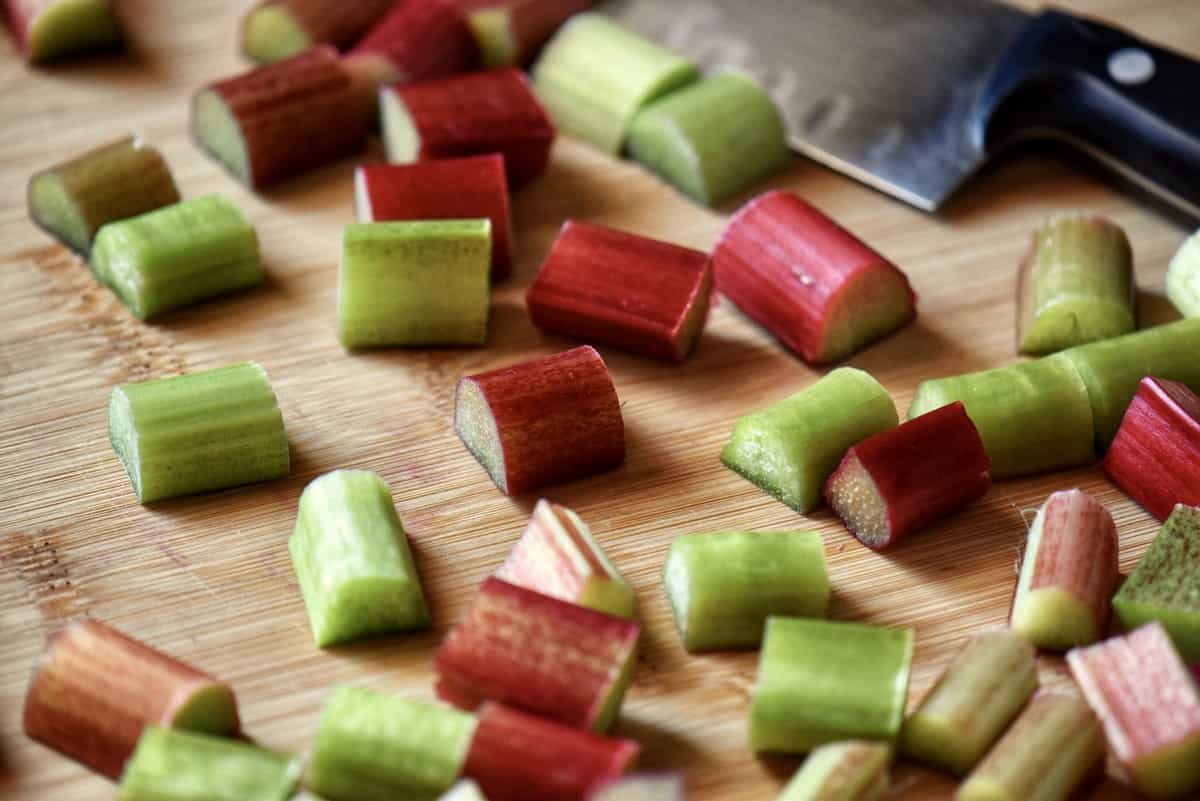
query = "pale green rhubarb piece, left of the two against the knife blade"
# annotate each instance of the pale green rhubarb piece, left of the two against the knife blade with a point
(595, 76)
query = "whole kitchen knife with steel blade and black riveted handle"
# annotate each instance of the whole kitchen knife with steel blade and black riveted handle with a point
(915, 97)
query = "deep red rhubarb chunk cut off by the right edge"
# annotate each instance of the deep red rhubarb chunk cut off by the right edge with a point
(1156, 456)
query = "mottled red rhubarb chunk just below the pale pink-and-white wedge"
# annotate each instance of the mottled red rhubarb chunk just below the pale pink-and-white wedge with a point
(539, 654)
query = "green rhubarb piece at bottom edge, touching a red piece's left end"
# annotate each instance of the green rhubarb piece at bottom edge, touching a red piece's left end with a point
(375, 748)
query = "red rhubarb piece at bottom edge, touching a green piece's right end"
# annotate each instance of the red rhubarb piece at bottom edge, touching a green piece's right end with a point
(518, 757)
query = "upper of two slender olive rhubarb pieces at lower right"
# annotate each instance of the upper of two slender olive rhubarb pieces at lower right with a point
(973, 703)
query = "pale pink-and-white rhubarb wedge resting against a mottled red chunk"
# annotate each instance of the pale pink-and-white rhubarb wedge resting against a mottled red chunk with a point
(559, 557)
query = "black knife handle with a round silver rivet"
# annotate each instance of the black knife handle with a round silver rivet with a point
(1123, 100)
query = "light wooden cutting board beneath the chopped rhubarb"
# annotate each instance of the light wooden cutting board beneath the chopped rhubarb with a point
(208, 579)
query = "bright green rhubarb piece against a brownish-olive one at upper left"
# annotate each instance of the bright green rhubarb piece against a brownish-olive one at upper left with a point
(178, 256)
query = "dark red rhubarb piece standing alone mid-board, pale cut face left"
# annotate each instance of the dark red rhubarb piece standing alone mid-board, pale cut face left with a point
(548, 421)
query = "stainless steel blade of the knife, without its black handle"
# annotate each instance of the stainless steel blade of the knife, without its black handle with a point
(881, 91)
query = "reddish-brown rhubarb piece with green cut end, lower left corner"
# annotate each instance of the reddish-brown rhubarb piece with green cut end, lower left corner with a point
(98, 689)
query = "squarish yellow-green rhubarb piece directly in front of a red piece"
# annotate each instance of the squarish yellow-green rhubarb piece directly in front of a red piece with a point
(416, 284)
